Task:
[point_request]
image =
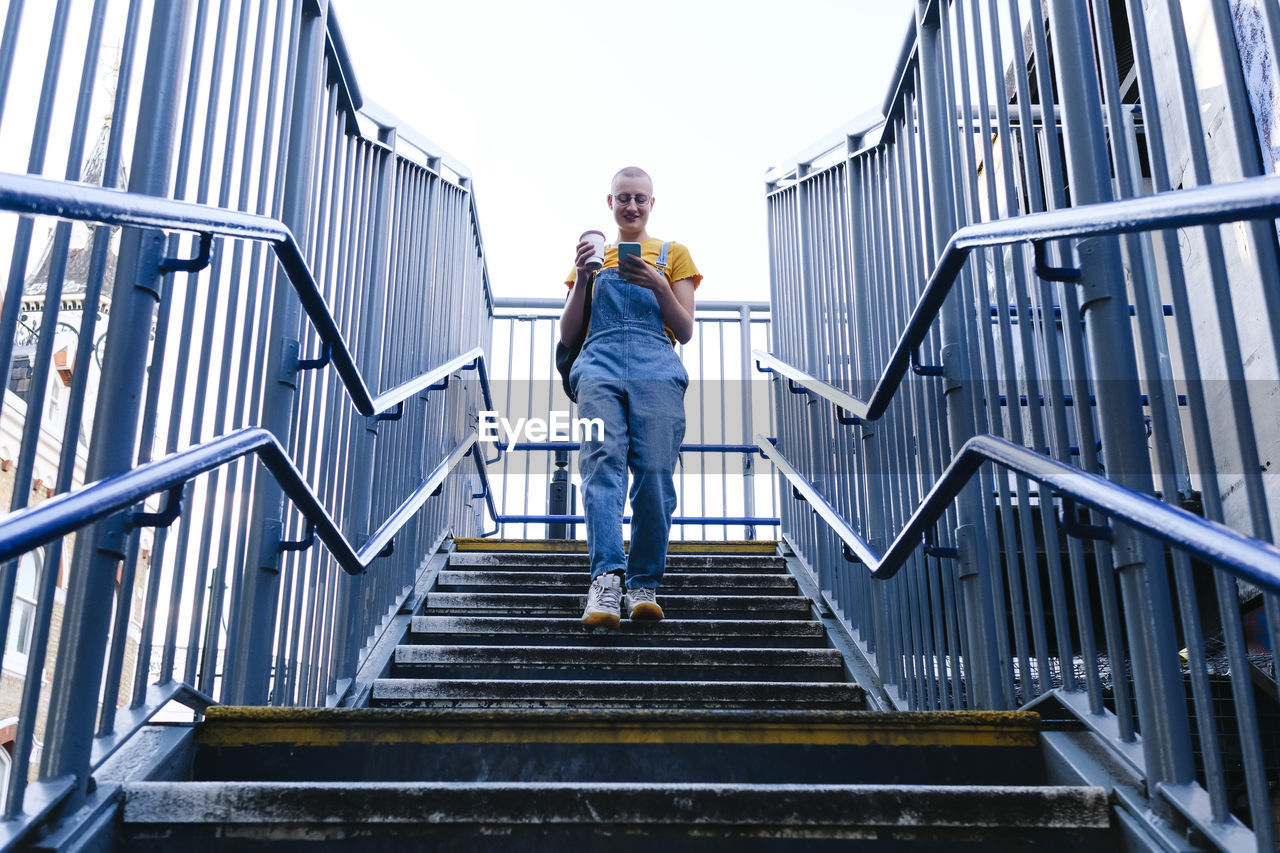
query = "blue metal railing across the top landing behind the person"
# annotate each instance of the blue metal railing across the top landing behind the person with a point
(728, 403)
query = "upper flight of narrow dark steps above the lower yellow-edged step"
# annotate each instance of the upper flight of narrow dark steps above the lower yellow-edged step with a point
(501, 631)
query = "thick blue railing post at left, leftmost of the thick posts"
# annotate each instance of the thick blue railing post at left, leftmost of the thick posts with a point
(136, 293)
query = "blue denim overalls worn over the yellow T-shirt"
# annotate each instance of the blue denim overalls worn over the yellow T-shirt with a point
(630, 377)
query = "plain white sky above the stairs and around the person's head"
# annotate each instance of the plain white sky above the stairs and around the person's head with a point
(546, 101)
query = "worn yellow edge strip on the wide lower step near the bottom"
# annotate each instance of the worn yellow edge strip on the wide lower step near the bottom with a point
(377, 728)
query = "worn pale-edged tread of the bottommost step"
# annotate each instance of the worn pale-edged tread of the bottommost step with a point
(653, 804)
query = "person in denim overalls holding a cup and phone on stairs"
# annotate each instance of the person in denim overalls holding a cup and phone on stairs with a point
(630, 377)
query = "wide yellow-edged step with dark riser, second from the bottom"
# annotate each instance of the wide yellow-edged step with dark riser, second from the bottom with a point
(779, 746)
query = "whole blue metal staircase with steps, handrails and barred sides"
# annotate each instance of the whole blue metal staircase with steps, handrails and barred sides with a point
(1018, 396)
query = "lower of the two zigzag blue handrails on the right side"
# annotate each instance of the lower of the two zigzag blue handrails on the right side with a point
(1246, 558)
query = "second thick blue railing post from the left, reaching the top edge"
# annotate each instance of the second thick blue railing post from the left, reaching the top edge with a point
(249, 663)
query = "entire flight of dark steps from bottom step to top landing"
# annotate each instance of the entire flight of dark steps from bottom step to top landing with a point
(501, 723)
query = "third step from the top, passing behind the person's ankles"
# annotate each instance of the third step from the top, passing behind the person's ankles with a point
(674, 583)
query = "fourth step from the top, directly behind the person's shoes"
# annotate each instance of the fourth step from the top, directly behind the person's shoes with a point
(573, 604)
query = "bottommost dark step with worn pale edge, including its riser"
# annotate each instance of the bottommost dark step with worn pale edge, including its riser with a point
(545, 816)
